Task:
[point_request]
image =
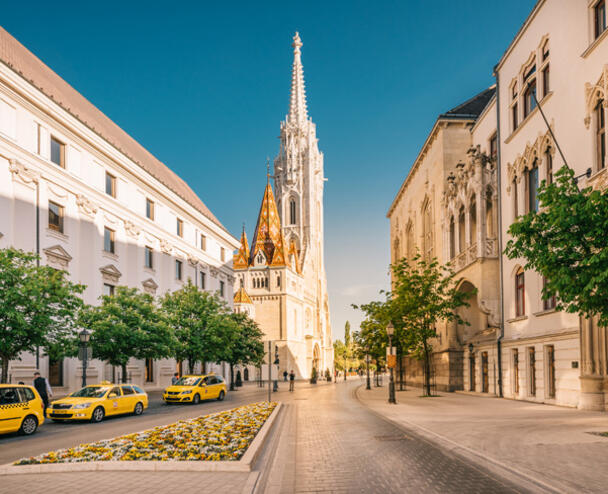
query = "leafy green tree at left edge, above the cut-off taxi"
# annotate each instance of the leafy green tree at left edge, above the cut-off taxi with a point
(39, 307)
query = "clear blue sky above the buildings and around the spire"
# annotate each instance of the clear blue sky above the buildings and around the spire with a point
(204, 86)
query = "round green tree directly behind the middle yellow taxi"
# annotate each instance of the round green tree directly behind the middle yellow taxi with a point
(128, 324)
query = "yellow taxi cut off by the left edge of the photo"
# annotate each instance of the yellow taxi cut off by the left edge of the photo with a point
(21, 409)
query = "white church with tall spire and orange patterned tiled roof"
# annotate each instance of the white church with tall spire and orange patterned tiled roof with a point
(281, 279)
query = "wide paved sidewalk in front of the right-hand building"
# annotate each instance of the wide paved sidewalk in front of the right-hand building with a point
(547, 443)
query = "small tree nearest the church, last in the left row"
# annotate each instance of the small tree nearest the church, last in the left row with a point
(244, 344)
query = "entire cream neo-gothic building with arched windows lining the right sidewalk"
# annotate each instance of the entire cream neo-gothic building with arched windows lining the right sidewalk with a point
(518, 344)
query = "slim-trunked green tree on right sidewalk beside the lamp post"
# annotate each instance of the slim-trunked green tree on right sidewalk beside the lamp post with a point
(424, 293)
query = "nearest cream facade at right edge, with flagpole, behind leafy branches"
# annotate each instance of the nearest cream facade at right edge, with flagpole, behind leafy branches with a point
(559, 41)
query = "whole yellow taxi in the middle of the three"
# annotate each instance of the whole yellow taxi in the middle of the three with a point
(97, 401)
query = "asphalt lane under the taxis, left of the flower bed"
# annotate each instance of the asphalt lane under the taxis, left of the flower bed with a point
(54, 435)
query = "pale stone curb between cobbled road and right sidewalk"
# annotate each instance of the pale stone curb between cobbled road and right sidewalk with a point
(497, 467)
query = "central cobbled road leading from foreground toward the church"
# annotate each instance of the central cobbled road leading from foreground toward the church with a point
(332, 443)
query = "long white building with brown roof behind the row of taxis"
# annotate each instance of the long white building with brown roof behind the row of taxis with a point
(34, 177)
